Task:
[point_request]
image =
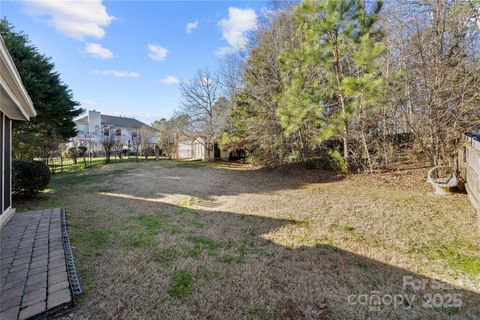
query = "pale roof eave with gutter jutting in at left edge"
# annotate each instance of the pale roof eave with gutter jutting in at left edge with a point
(15, 102)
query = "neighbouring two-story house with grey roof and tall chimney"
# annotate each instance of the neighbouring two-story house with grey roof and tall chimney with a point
(130, 134)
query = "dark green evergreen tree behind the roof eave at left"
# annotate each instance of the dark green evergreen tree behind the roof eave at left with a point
(52, 99)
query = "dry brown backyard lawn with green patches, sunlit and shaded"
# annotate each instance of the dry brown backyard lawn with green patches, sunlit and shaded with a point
(273, 245)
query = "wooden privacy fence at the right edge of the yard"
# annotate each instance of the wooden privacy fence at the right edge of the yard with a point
(470, 171)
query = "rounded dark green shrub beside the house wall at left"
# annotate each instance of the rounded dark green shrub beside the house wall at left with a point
(29, 177)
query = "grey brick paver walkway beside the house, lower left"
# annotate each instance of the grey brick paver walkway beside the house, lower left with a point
(34, 279)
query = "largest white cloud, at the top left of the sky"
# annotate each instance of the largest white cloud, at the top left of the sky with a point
(76, 19)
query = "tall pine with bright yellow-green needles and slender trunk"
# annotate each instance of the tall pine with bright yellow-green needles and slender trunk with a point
(331, 74)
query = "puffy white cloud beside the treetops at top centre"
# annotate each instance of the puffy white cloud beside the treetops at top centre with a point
(235, 27)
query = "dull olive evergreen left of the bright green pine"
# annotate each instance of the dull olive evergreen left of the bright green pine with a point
(253, 124)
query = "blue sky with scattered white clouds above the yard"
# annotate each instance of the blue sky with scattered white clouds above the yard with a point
(126, 57)
